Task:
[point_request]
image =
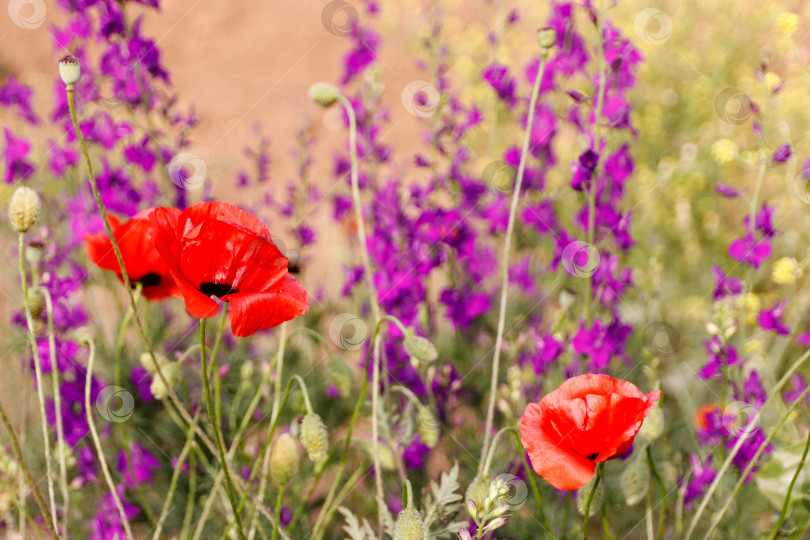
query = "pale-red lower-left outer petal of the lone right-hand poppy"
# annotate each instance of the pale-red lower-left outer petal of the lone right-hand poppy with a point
(551, 456)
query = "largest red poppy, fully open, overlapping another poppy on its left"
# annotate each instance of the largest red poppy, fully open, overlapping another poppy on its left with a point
(216, 249)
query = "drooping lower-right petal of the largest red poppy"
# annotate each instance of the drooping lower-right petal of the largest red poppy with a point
(251, 312)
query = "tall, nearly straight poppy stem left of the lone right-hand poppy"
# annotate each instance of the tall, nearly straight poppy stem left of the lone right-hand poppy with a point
(507, 246)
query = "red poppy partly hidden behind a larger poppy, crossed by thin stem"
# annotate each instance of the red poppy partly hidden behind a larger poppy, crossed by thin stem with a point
(141, 259)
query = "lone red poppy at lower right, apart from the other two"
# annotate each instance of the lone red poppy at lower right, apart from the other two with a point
(587, 420)
